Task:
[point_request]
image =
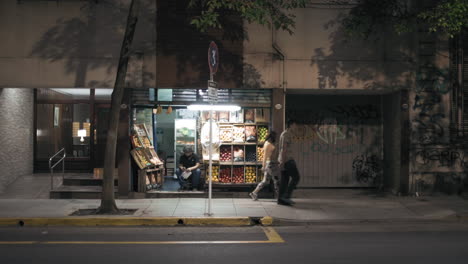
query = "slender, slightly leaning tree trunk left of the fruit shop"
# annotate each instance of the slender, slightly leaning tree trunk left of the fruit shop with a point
(108, 199)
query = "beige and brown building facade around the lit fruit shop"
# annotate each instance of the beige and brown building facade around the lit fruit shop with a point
(386, 112)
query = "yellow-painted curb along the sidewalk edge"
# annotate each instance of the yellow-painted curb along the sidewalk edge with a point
(134, 221)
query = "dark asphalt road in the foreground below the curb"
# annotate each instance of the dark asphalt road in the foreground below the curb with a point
(353, 243)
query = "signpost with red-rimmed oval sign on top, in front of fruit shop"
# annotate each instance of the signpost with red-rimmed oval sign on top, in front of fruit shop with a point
(213, 63)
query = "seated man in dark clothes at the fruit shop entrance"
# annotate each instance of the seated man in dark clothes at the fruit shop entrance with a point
(188, 162)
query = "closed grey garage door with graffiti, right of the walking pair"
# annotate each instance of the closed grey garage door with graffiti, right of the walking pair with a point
(331, 136)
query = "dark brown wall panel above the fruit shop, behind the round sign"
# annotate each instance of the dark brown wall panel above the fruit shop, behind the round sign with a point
(182, 41)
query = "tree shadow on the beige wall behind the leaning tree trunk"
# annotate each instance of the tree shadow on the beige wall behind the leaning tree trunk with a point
(92, 41)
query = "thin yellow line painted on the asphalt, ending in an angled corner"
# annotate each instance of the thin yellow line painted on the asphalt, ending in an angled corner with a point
(272, 235)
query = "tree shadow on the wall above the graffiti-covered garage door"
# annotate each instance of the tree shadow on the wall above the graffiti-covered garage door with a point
(363, 63)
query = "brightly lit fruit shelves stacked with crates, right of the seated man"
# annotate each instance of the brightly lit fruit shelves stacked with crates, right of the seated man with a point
(241, 148)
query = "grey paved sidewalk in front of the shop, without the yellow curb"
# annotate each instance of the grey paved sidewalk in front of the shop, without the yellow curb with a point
(324, 206)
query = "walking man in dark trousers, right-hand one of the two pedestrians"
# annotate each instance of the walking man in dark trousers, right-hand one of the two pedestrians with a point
(287, 164)
